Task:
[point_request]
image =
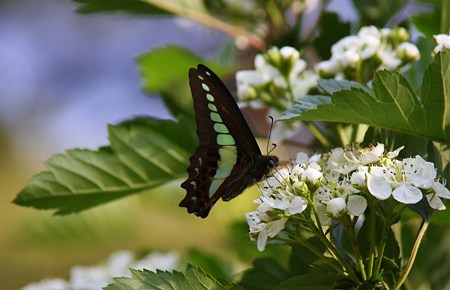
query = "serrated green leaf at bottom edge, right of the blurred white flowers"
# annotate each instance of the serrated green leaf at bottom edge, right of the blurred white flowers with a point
(193, 278)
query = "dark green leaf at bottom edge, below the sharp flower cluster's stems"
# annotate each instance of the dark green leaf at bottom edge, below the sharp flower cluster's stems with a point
(313, 281)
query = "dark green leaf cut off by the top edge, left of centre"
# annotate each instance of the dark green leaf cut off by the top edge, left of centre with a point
(129, 6)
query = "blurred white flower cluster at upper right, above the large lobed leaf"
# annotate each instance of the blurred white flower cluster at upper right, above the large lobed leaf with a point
(378, 48)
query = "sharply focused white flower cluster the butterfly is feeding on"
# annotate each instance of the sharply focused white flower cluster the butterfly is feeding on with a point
(339, 184)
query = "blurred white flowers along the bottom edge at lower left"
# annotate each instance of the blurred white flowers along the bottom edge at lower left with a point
(117, 265)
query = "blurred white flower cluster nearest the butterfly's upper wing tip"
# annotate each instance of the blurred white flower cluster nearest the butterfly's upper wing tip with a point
(280, 76)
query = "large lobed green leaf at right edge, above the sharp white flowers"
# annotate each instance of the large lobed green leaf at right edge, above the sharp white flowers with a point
(392, 105)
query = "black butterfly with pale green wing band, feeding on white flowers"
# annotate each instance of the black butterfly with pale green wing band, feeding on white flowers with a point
(227, 159)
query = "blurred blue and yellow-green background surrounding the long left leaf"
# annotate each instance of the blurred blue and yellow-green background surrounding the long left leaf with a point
(64, 77)
